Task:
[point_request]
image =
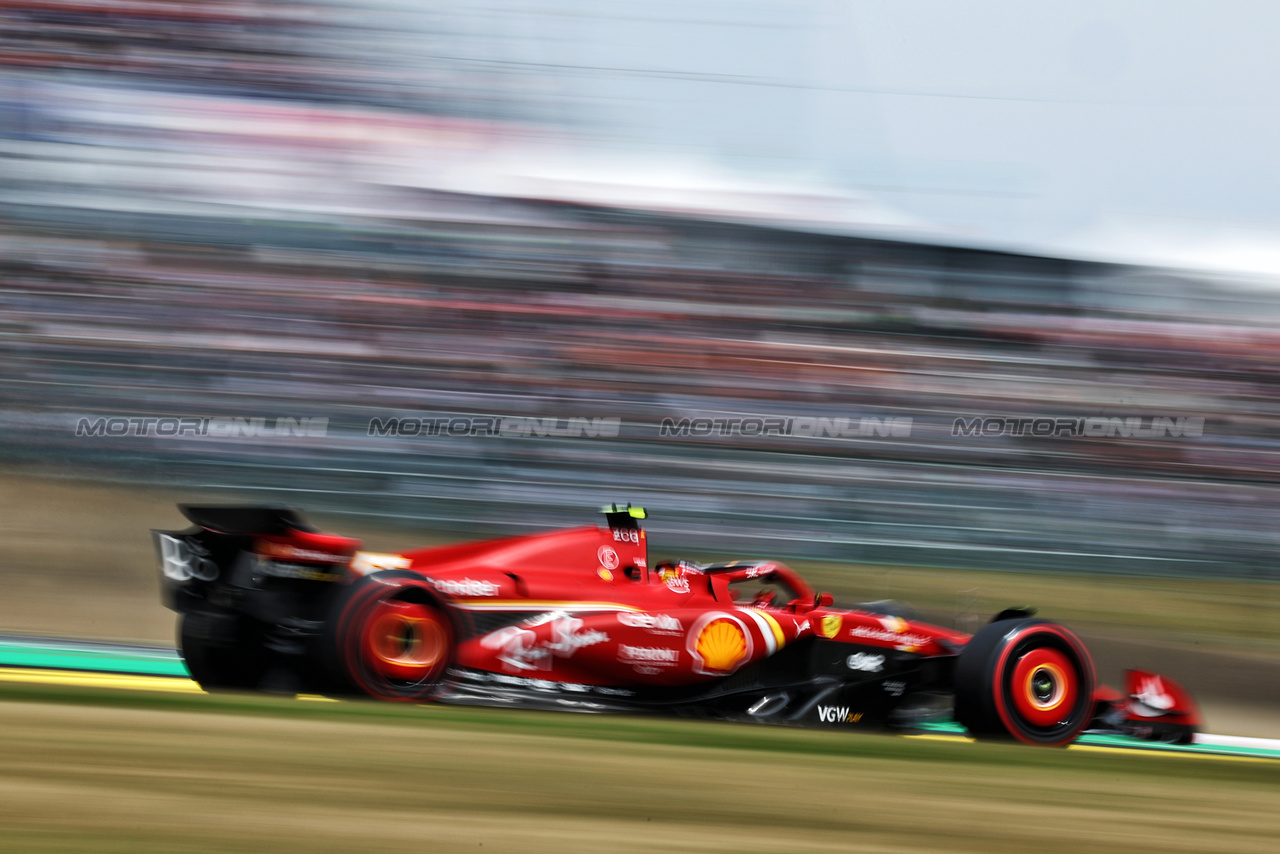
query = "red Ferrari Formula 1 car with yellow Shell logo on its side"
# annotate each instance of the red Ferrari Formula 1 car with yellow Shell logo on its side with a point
(579, 619)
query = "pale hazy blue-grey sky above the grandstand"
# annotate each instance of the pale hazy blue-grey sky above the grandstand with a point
(1142, 131)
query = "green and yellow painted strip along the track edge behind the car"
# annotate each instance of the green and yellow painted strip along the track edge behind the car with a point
(159, 669)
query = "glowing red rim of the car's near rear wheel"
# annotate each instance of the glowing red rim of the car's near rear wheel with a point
(405, 641)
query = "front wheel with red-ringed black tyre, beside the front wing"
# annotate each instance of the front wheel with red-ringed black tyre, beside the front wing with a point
(1026, 679)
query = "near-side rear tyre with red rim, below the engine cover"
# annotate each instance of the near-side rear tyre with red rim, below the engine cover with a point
(390, 637)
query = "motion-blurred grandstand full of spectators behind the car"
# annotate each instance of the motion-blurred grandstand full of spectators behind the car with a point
(223, 209)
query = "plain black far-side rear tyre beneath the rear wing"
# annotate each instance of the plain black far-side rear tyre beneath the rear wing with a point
(221, 651)
